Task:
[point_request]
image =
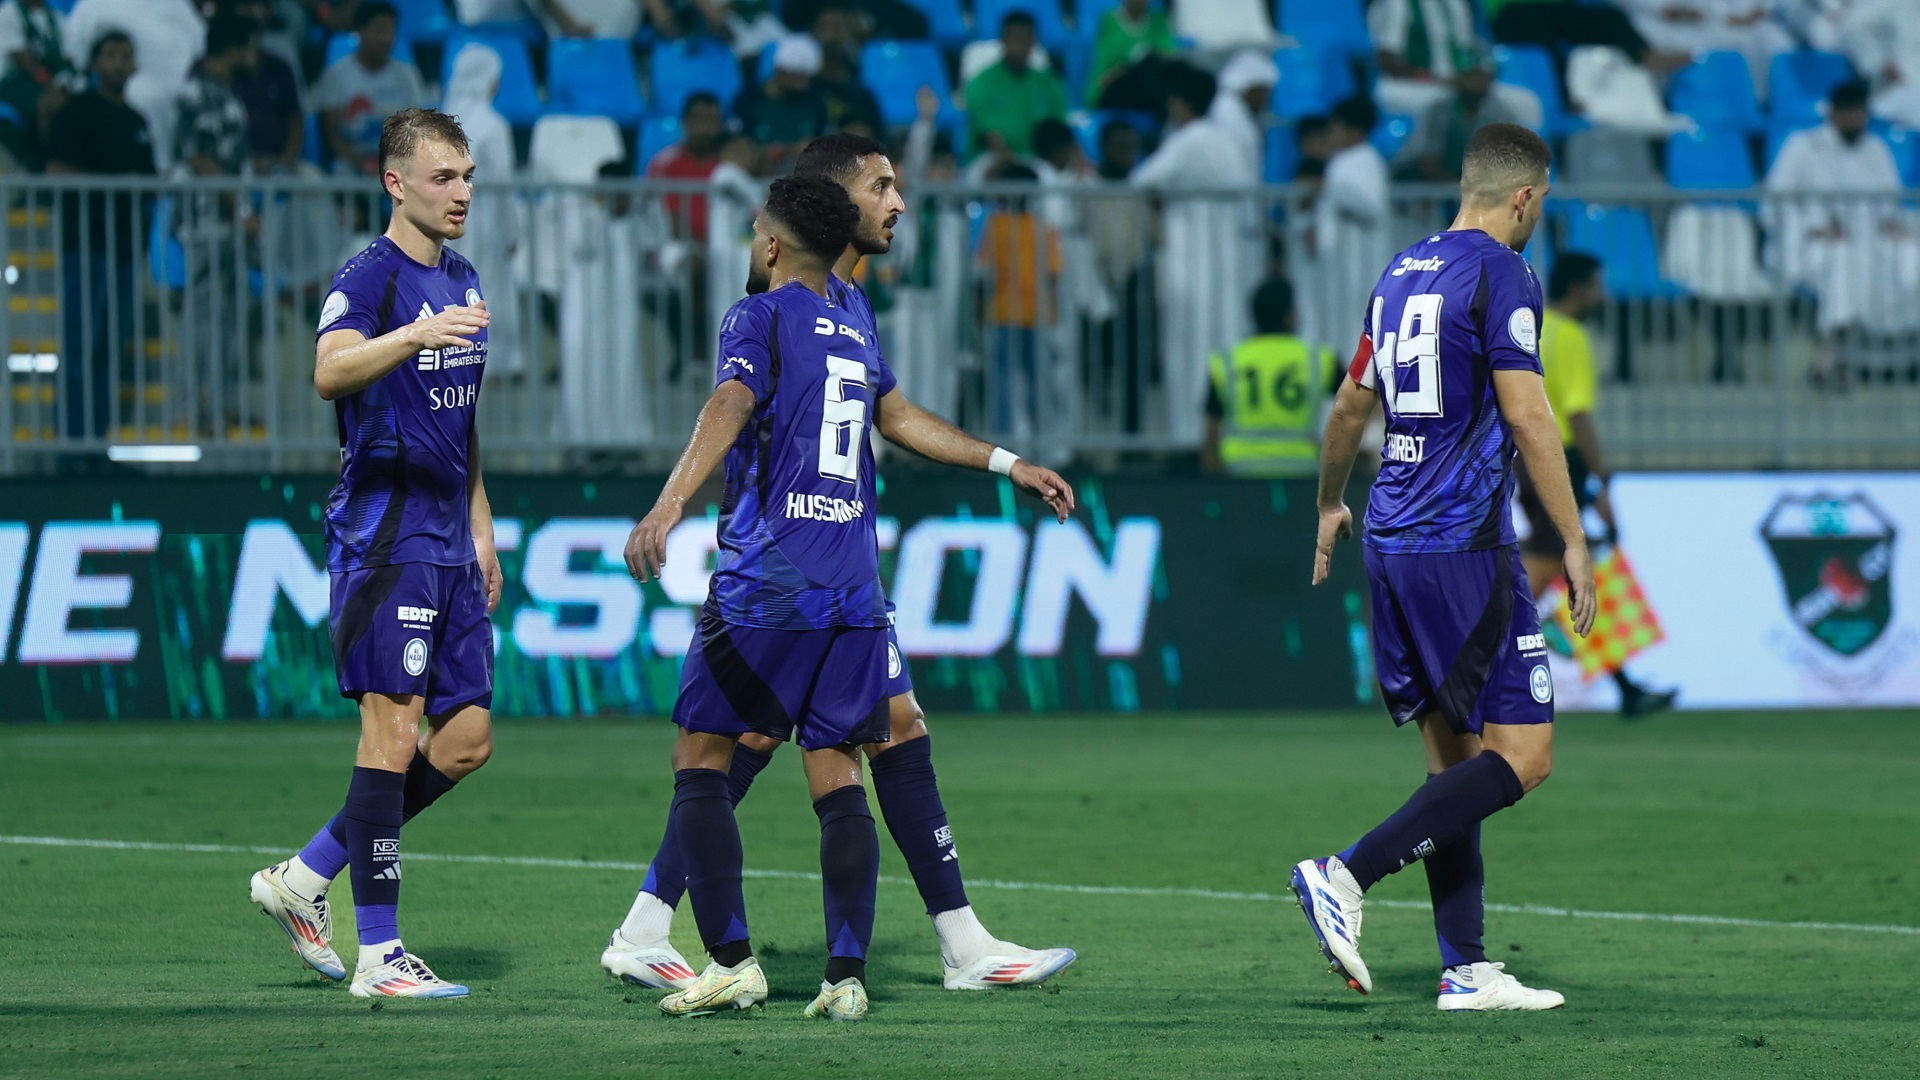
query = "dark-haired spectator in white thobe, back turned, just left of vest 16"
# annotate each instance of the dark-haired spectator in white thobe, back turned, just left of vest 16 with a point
(1203, 297)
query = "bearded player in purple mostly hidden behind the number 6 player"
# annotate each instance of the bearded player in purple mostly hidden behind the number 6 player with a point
(903, 766)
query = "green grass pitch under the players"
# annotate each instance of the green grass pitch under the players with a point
(155, 964)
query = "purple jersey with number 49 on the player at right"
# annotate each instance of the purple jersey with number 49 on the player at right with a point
(1445, 316)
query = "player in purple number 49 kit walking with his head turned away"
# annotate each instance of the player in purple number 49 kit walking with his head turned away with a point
(1451, 347)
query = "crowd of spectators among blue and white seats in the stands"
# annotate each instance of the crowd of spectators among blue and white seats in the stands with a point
(1172, 101)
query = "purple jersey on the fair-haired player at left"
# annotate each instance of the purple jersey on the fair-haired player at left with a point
(402, 495)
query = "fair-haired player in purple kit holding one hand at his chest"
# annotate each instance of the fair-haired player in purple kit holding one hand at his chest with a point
(410, 545)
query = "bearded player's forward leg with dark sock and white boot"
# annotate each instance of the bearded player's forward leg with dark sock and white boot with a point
(917, 820)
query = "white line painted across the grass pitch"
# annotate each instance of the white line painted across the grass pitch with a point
(990, 883)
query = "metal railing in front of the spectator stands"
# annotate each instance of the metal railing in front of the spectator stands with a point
(178, 318)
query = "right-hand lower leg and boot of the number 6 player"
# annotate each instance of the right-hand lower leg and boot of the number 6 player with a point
(850, 877)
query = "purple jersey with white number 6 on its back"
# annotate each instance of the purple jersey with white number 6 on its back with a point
(798, 543)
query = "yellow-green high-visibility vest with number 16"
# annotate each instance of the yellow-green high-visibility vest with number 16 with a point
(1272, 389)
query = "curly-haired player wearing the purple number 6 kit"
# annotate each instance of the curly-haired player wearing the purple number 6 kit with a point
(794, 637)
